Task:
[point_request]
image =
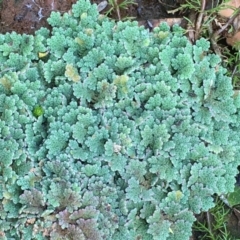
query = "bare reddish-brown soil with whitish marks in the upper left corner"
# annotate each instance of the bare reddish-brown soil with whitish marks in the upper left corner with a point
(25, 16)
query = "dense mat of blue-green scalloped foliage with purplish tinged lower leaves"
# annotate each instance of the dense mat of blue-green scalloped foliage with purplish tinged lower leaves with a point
(117, 134)
